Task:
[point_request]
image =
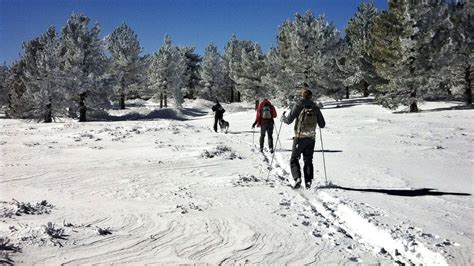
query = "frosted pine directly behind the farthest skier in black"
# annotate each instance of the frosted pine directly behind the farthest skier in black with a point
(212, 75)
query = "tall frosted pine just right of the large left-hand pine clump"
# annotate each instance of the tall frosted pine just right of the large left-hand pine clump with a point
(127, 67)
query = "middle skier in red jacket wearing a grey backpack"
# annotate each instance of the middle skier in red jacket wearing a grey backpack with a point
(265, 114)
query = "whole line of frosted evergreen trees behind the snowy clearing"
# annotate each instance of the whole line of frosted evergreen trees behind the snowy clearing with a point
(415, 50)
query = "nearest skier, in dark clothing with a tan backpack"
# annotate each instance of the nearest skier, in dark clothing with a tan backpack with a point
(307, 115)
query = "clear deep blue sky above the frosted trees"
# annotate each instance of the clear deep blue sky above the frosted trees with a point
(189, 22)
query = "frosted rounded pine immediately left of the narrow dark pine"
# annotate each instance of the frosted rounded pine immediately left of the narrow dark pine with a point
(167, 72)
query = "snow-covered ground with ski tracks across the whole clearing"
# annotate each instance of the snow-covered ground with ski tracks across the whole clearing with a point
(161, 186)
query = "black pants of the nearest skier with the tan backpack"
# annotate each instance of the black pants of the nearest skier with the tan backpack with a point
(303, 146)
